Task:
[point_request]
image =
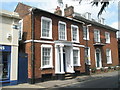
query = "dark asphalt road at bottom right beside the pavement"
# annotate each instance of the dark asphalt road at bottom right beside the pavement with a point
(108, 81)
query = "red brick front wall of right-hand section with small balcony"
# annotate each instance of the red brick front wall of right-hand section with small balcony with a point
(113, 46)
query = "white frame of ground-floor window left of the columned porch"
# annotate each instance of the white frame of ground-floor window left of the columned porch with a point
(51, 58)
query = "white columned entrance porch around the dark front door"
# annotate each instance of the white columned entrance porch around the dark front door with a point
(64, 59)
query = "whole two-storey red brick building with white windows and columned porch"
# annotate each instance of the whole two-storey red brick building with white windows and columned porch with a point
(57, 45)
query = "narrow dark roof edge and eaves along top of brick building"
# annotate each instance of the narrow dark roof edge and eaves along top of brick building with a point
(76, 18)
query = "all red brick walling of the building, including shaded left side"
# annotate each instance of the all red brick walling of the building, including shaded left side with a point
(55, 19)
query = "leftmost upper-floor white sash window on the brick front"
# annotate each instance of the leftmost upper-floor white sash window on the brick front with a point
(46, 28)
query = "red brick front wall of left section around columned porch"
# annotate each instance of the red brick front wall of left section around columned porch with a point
(55, 21)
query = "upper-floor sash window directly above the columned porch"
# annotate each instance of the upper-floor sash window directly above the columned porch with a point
(62, 31)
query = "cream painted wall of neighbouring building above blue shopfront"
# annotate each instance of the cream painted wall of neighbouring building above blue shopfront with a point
(8, 19)
